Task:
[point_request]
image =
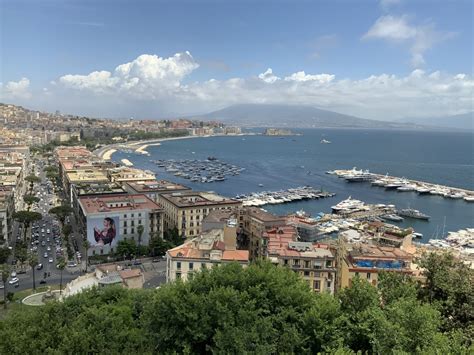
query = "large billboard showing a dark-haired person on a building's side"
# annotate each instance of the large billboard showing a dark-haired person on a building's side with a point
(103, 232)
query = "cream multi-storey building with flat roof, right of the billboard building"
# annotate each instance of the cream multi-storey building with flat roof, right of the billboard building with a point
(186, 210)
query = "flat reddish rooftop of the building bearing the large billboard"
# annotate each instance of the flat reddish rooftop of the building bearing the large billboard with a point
(112, 203)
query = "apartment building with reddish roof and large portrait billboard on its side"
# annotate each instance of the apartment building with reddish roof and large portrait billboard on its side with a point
(107, 219)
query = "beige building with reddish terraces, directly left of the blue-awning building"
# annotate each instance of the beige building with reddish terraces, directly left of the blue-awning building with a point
(314, 262)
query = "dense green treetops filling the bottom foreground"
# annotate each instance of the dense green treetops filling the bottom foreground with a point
(261, 309)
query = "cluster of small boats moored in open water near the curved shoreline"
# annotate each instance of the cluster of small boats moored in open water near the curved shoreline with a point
(203, 171)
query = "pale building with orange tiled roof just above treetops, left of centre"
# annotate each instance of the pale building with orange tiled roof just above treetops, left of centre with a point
(211, 248)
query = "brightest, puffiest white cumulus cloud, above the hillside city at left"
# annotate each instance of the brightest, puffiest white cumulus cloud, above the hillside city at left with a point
(145, 76)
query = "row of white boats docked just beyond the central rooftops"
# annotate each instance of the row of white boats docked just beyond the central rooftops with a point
(282, 196)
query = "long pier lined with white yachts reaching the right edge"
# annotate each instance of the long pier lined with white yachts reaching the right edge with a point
(403, 184)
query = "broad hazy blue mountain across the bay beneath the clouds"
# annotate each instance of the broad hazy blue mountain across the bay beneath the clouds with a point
(292, 116)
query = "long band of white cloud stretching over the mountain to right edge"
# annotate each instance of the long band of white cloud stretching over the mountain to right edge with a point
(153, 86)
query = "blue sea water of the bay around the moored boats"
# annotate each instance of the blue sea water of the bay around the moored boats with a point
(445, 158)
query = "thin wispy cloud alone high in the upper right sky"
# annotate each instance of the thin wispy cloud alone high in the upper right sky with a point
(398, 29)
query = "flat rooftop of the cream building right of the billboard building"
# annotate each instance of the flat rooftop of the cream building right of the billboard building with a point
(192, 198)
